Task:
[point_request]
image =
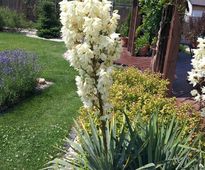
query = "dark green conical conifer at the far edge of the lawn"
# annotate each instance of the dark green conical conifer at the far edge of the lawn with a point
(48, 23)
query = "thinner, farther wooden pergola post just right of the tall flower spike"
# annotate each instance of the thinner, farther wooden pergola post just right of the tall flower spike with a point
(133, 25)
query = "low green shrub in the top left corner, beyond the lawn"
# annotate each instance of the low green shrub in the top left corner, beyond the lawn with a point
(12, 19)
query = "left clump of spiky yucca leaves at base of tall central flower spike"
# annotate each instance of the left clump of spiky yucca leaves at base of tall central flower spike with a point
(91, 152)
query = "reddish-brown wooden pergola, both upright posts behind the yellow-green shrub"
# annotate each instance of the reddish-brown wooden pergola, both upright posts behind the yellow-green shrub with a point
(169, 37)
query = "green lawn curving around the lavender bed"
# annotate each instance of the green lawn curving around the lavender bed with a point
(30, 131)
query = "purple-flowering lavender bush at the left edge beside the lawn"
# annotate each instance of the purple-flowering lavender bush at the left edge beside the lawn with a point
(18, 73)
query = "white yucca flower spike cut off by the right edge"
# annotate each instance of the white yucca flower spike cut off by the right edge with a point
(197, 74)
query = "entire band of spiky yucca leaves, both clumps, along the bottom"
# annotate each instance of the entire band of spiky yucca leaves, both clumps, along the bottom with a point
(134, 147)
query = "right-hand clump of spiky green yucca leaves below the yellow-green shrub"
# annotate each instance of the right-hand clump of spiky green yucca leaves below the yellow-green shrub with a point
(165, 146)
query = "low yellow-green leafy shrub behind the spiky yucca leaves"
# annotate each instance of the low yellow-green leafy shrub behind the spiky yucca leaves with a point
(143, 94)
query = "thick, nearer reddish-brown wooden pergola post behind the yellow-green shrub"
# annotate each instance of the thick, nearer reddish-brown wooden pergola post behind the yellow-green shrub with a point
(168, 44)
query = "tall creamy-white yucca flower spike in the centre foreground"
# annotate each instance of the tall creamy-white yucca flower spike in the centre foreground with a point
(89, 34)
